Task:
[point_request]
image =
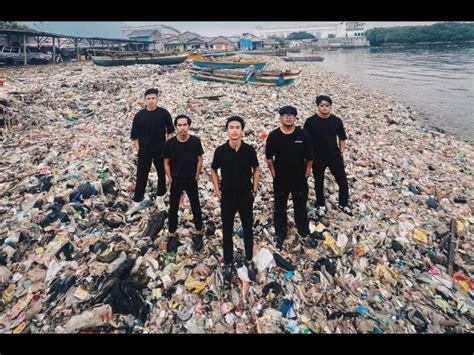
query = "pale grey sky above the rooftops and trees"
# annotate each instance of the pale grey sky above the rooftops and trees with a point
(228, 28)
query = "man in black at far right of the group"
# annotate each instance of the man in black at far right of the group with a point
(324, 129)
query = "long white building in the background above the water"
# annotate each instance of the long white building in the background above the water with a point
(329, 30)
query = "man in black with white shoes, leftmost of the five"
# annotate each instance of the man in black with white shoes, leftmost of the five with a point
(150, 130)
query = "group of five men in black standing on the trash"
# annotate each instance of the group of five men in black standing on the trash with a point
(291, 152)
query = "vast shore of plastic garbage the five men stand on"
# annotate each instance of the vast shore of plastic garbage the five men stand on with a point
(73, 261)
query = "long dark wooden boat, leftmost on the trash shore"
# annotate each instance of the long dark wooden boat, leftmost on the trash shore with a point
(141, 59)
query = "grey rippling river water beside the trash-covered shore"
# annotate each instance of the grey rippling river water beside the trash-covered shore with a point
(437, 81)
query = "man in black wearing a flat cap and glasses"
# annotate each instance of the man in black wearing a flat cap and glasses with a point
(289, 157)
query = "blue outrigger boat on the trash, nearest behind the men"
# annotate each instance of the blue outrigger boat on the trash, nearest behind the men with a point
(252, 77)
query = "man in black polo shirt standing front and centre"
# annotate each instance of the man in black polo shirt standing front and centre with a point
(240, 173)
